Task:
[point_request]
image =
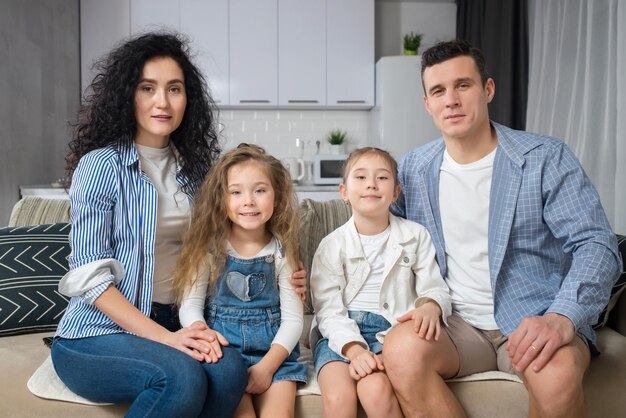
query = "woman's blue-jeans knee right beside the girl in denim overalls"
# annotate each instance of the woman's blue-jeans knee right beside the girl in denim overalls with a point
(227, 382)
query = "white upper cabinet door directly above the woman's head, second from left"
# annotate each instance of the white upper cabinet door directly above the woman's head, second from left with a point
(153, 15)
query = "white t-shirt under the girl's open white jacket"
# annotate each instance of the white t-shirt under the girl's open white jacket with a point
(368, 297)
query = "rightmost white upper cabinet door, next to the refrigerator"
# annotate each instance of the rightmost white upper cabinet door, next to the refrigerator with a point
(350, 53)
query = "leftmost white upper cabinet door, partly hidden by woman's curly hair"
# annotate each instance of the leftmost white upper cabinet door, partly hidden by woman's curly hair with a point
(102, 25)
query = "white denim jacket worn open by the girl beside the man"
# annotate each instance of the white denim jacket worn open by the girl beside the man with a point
(340, 268)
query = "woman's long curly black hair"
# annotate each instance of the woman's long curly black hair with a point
(107, 116)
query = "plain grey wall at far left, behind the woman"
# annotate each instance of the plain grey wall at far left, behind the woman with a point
(40, 89)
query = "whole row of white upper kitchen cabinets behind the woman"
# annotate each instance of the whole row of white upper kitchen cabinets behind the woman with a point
(254, 53)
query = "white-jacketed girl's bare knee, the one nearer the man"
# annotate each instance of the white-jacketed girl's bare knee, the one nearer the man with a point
(377, 396)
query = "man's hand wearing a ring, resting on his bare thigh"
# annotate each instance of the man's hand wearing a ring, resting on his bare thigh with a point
(537, 338)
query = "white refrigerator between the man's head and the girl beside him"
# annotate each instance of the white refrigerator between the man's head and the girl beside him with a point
(399, 121)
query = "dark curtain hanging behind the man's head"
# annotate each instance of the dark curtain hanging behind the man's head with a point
(500, 29)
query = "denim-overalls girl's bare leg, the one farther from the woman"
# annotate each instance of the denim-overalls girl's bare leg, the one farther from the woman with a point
(278, 401)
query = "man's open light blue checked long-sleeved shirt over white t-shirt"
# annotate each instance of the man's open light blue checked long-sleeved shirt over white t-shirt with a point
(551, 248)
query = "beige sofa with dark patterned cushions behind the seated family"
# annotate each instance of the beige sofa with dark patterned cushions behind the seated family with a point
(30, 307)
